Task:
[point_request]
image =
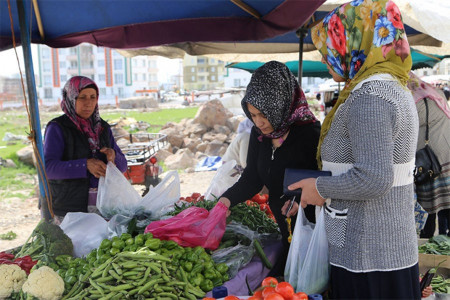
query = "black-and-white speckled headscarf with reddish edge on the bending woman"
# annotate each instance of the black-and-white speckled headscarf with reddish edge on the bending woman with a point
(275, 92)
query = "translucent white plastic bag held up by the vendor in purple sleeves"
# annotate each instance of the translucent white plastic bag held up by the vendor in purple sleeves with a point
(115, 194)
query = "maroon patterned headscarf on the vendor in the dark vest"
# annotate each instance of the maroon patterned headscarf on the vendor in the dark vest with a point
(90, 127)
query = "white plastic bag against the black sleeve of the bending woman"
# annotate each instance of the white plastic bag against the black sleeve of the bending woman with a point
(225, 177)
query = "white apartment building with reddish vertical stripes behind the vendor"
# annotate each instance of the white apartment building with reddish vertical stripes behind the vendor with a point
(117, 77)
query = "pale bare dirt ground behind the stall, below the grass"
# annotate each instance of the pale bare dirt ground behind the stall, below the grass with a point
(21, 216)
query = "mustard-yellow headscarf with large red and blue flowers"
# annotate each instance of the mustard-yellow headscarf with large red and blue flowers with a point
(360, 39)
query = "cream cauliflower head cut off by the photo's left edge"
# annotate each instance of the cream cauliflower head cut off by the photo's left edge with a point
(12, 278)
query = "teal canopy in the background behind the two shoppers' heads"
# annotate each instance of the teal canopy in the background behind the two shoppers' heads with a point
(315, 68)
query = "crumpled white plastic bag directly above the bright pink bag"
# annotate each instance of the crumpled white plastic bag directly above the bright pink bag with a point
(166, 193)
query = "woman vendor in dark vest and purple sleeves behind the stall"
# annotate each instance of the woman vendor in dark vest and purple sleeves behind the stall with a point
(77, 147)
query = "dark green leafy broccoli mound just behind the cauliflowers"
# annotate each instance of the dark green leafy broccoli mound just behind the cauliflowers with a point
(46, 242)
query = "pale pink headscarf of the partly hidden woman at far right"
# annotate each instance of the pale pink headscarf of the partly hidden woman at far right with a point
(420, 90)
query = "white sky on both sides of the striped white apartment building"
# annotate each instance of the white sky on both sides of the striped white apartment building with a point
(9, 65)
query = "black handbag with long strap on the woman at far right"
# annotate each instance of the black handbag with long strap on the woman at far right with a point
(427, 164)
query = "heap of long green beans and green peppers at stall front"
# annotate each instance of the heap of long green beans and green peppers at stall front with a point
(139, 267)
